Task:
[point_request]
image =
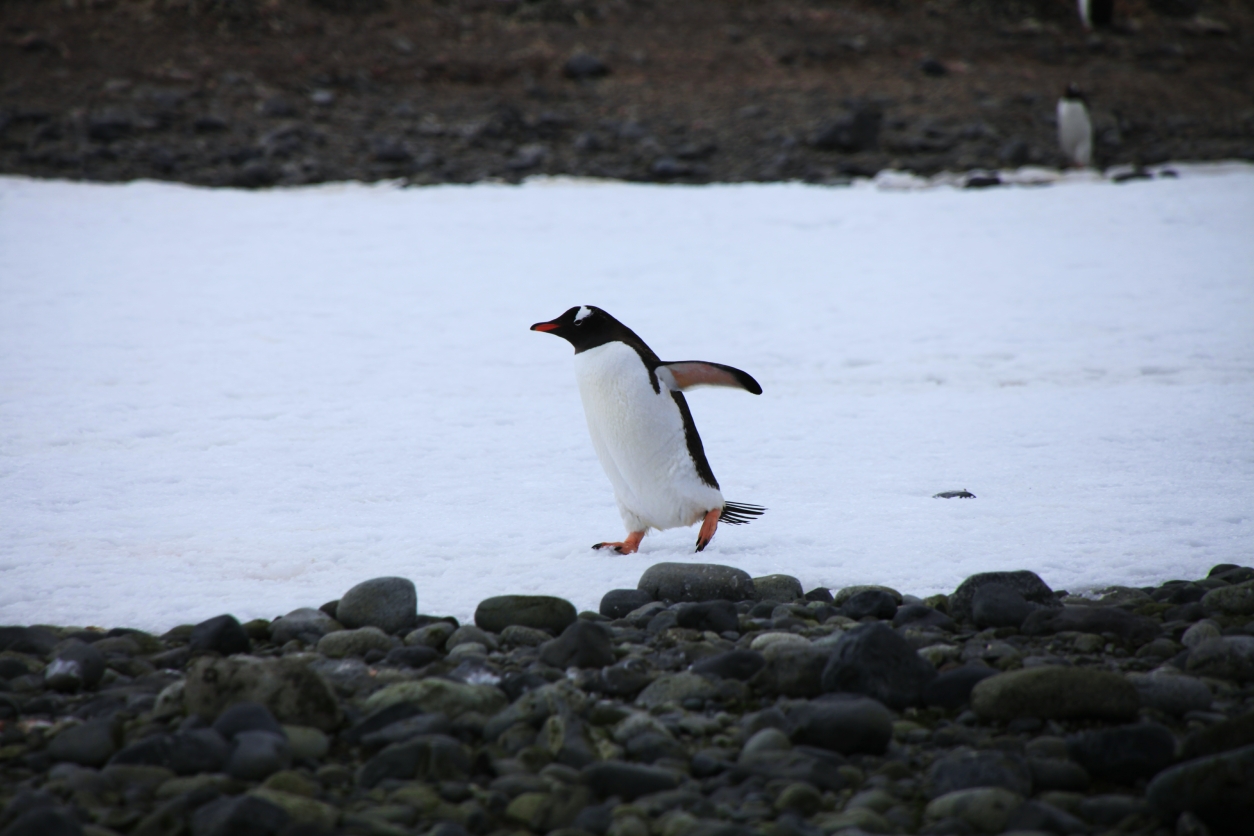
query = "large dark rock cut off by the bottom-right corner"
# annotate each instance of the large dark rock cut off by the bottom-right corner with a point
(1218, 789)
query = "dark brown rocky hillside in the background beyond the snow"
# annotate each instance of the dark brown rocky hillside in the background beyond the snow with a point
(264, 92)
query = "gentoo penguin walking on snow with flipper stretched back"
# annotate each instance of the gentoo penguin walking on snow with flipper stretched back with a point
(643, 431)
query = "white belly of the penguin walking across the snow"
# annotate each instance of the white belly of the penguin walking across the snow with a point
(639, 437)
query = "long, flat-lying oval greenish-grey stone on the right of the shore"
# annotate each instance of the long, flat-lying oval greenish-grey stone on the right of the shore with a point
(1055, 692)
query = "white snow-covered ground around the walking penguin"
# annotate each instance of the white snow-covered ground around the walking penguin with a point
(249, 402)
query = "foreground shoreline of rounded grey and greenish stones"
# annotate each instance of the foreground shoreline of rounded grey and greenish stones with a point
(703, 703)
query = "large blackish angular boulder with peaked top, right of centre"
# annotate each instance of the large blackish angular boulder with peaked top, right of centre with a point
(872, 660)
